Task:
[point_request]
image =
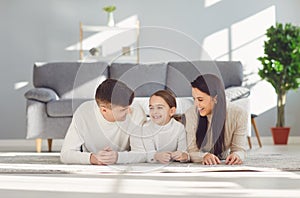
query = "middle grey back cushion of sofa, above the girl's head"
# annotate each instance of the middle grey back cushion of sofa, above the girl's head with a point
(144, 79)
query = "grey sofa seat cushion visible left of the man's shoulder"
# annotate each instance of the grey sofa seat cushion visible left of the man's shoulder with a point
(63, 107)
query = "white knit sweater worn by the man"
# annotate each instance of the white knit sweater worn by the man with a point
(92, 132)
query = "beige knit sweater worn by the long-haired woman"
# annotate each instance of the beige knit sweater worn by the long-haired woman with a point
(234, 137)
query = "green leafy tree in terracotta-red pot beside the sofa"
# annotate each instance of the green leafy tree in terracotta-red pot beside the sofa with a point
(281, 68)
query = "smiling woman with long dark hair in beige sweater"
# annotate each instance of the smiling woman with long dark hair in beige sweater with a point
(215, 131)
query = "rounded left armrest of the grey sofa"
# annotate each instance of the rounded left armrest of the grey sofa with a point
(41, 94)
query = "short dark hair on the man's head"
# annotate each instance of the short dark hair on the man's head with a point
(114, 92)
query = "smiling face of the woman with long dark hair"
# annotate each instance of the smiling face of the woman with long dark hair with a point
(204, 102)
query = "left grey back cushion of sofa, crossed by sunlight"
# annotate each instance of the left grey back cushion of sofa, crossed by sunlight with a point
(70, 79)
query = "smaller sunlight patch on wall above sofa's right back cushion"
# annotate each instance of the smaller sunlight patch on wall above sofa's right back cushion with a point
(217, 45)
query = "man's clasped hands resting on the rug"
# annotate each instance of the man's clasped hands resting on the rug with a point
(104, 157)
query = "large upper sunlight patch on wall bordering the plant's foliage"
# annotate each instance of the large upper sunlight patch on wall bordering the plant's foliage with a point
(247, 38)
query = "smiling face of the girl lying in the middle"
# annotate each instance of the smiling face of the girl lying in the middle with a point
(160, 112)
